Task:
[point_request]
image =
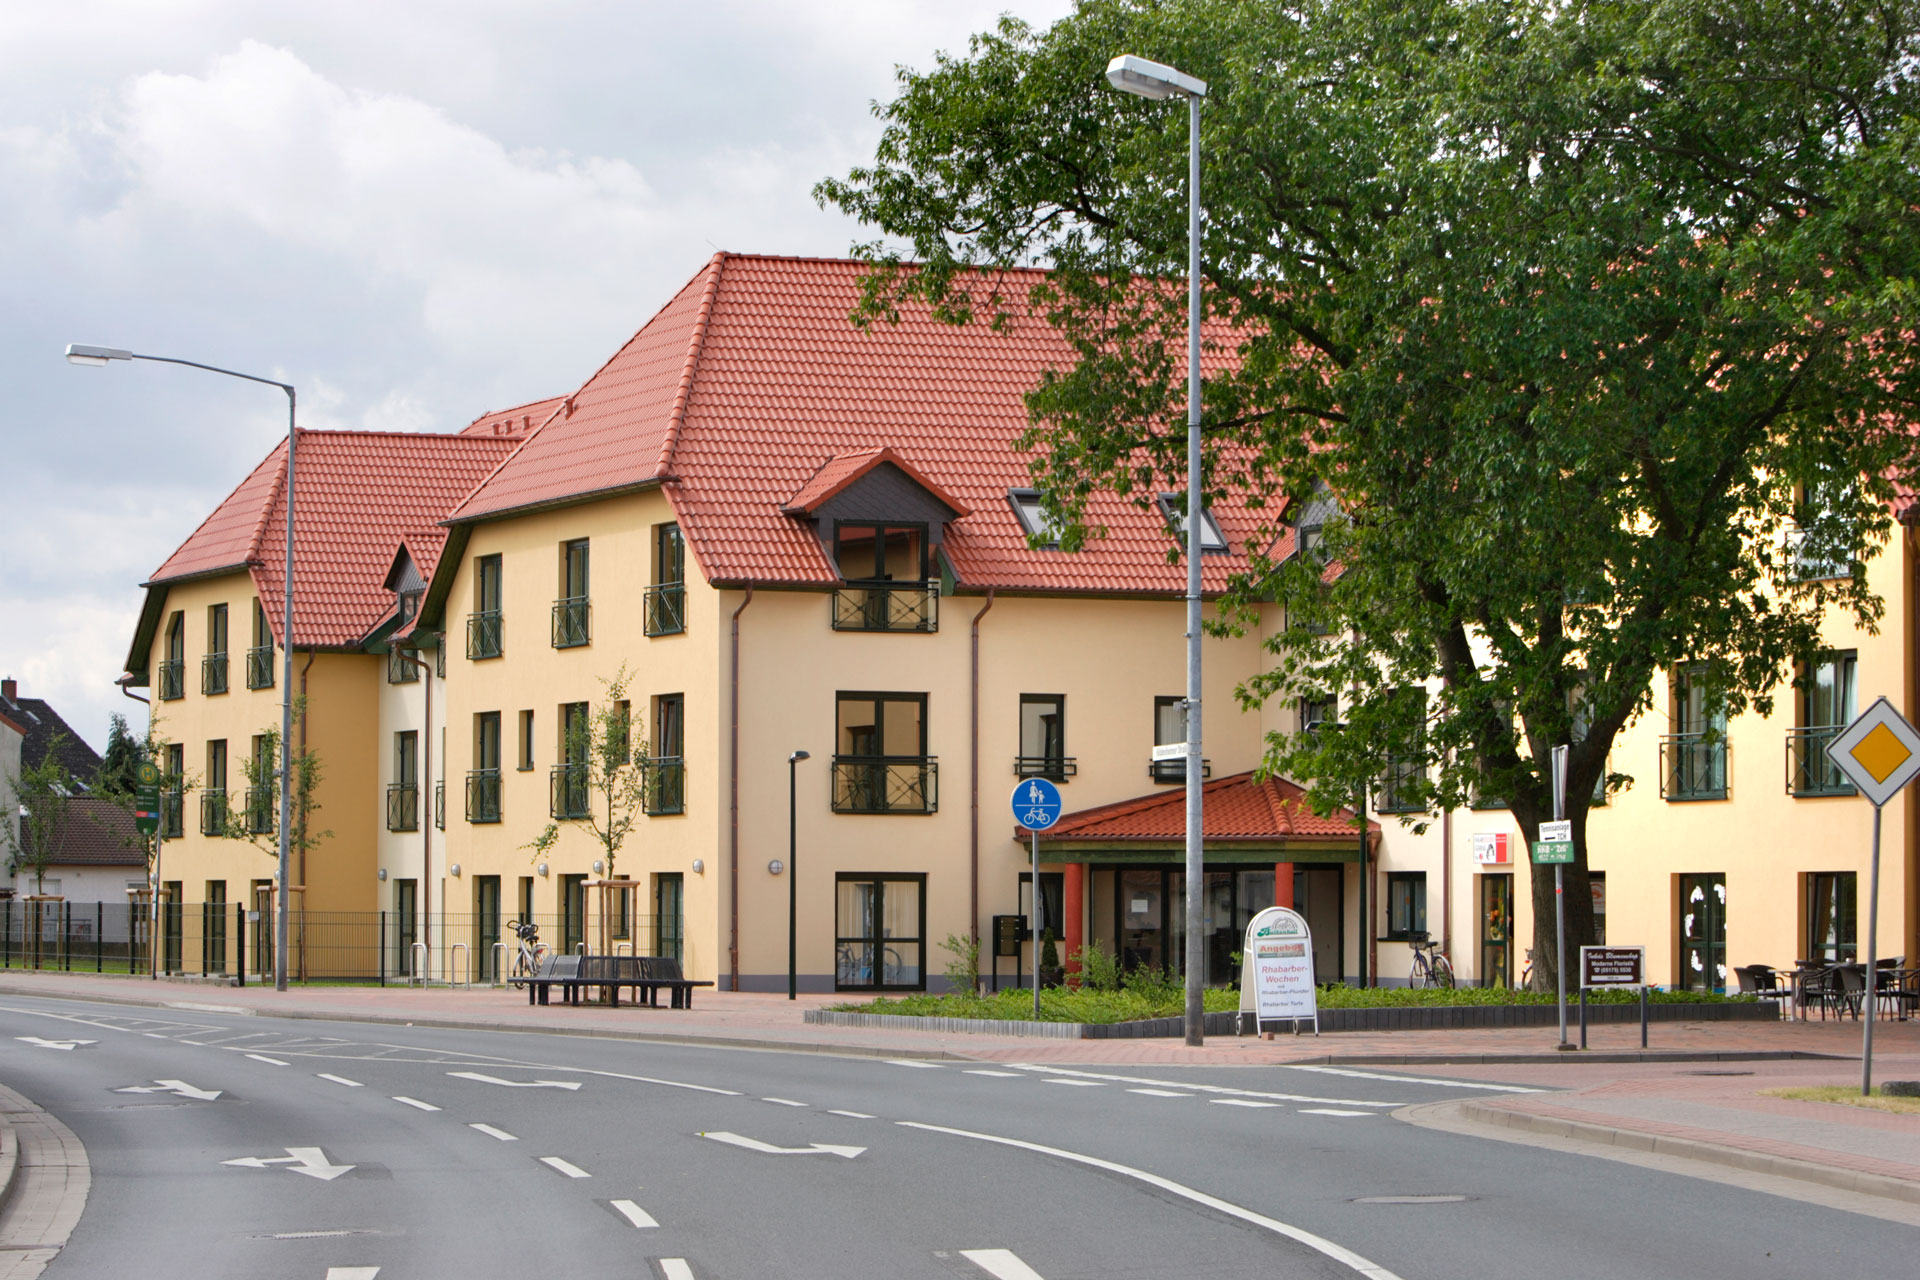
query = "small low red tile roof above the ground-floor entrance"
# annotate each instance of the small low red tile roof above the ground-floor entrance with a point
(1239, 809)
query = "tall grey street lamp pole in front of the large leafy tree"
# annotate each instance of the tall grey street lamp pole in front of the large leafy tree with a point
(1151, 80)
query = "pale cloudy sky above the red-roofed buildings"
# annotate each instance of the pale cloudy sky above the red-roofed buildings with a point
(412, 210)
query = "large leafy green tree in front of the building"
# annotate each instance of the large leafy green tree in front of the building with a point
(1589, 318)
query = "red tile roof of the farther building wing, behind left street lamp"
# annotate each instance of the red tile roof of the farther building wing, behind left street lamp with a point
(358, 498)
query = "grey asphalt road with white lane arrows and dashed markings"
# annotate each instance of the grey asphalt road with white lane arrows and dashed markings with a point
(333, 1150)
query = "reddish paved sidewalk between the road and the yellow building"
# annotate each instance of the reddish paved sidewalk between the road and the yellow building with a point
(1698, 1093)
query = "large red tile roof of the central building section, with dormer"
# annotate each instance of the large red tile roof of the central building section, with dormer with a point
(754, 377)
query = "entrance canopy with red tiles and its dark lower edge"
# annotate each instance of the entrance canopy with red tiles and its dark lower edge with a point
(1245, 820)
